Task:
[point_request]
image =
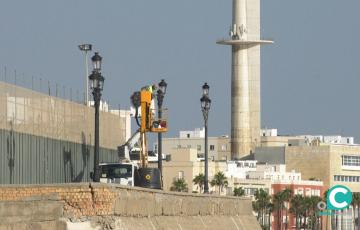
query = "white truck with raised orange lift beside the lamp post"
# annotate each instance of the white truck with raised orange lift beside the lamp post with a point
(133, 170)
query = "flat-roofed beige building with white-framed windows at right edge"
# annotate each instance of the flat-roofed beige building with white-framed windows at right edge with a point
(334, 164)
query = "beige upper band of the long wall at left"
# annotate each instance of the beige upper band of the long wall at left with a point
(27, 111)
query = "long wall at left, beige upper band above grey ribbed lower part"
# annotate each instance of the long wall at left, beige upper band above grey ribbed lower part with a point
(47, 139)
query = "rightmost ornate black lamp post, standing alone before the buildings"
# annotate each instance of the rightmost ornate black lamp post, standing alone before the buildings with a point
(205, 107)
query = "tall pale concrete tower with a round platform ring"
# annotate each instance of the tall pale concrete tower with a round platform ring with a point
(245, 78)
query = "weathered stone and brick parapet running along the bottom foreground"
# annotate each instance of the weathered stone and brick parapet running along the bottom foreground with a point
(128, 206)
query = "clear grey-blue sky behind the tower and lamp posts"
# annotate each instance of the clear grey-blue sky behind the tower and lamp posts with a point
(309, 81)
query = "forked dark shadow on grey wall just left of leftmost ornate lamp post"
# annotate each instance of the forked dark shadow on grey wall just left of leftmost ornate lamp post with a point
(68, 162)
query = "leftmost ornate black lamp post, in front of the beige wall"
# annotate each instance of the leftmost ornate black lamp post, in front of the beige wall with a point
(96, 85)
